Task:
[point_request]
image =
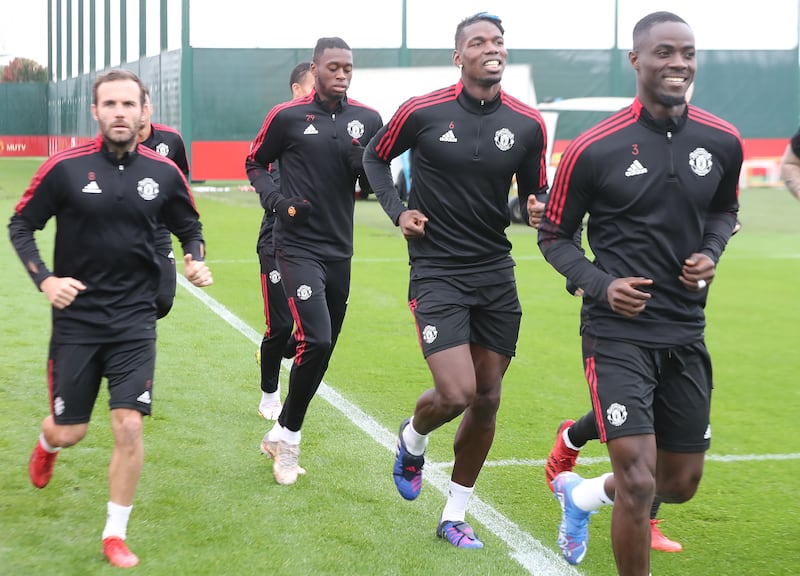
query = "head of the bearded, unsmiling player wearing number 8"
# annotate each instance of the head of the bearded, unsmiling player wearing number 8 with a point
(118, 112)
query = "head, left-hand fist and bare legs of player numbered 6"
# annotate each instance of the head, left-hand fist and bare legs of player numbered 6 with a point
(467, 378)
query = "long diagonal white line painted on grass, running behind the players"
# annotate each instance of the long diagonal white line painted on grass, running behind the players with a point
(534, 556)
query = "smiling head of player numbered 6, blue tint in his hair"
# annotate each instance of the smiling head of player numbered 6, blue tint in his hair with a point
(481, 54)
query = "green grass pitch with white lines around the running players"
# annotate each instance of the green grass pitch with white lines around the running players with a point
(207, 503)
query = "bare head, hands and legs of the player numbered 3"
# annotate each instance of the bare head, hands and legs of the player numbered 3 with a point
(664, 61)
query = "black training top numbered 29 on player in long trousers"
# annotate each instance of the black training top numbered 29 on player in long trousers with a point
(312, 145)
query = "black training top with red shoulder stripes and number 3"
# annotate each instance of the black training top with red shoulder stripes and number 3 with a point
(656, 191)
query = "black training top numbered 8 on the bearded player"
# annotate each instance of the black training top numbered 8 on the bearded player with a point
(107, 211)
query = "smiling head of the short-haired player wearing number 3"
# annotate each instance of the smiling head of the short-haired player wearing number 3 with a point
(665, 64)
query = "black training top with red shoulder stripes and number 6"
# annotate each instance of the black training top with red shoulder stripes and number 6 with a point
(464, 153)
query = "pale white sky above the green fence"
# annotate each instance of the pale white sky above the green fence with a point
(368, 24)
